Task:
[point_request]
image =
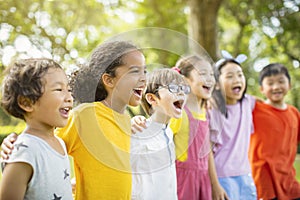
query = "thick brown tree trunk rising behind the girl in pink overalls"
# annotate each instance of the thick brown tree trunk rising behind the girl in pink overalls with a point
(202, 25)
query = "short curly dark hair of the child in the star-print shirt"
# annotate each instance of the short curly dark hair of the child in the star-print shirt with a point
(23, 78)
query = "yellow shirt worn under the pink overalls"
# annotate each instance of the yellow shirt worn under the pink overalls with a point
(181, 129)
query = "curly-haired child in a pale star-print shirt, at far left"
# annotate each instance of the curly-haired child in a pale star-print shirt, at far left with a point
(37, 91)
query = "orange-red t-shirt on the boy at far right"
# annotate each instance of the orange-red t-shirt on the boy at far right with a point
(273, 149)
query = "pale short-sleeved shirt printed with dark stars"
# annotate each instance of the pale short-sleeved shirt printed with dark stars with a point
(51, 170)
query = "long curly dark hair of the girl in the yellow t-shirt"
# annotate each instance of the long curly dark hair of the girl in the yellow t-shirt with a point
(87, 82)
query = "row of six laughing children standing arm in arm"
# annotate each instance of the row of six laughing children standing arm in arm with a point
(189, 148)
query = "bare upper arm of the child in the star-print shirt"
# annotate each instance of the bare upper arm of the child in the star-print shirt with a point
(14, 181)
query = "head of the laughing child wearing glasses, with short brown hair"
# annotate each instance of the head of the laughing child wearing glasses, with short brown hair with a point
(165, 95)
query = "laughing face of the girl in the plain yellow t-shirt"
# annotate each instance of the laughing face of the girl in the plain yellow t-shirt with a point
(129, 81)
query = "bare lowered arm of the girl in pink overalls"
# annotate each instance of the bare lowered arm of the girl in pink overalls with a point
(218, 192)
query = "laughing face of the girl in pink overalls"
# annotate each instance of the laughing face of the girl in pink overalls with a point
(202, 80)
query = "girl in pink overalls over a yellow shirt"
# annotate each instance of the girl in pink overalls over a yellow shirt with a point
(196, 174)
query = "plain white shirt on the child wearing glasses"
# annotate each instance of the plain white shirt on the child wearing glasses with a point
(153, 163)
